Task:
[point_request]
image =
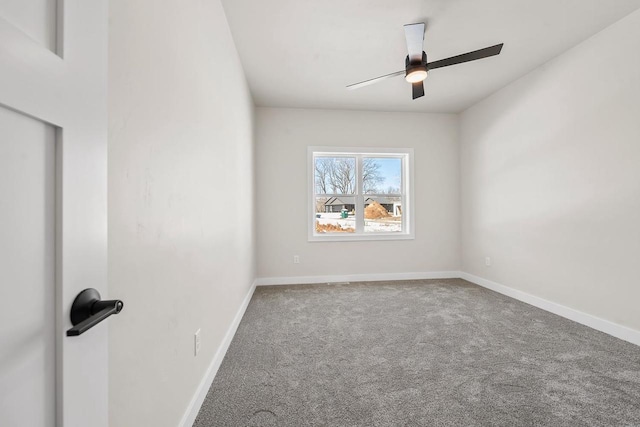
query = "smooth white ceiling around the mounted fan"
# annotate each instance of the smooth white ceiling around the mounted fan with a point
(302, 53)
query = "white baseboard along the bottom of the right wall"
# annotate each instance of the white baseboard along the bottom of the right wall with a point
(602, 325)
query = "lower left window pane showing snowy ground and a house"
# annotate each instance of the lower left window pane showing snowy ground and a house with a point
(335, 215)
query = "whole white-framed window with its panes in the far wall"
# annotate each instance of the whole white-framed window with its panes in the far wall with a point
(359, 194)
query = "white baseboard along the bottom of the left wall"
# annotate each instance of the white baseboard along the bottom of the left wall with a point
(203, 388)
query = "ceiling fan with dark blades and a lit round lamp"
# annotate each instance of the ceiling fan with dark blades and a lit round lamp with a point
(416, 65)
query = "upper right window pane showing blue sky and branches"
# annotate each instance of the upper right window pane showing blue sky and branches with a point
(382, 175)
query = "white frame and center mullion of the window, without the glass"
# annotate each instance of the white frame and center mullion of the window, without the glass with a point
(406, 154)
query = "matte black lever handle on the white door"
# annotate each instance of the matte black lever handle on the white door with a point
(88, 310)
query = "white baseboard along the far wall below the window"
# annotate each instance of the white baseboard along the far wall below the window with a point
(304, 280)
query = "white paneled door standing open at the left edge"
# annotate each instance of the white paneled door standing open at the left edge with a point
(53, 210)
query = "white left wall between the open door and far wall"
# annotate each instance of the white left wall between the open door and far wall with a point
(181, 189)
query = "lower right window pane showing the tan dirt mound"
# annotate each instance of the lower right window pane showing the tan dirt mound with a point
(383, 214)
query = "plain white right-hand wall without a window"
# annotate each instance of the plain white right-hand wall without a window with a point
(550, 179)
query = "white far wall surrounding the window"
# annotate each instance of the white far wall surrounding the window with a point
(283, 136)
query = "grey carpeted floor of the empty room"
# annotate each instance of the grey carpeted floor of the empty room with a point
(419, 353)
